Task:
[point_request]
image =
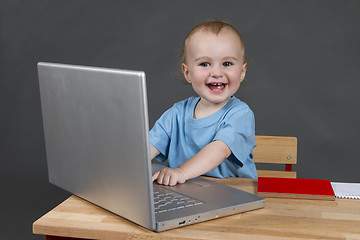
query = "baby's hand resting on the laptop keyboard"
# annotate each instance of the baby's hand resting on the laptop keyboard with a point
(169, 176)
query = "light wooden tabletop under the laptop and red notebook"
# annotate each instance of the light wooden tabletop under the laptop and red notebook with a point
(280, 219)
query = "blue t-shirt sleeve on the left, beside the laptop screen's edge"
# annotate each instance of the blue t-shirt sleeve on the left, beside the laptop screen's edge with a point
(160, 134)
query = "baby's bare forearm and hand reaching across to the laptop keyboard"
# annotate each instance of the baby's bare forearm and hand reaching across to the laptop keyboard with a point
(204, 161)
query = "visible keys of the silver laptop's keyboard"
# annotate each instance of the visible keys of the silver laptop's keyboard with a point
(167, 200)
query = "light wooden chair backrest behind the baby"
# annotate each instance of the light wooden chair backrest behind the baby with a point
(276, 150)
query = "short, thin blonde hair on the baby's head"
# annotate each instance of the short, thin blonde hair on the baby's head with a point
(213, 26)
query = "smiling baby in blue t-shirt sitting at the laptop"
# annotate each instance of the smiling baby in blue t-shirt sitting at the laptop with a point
(213, 134)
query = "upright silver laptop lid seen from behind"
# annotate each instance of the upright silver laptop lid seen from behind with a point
(94, 149)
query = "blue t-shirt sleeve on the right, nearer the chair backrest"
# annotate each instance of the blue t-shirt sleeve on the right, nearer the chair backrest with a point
(238, 133)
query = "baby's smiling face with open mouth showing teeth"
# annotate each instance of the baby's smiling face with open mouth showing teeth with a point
(214, 65)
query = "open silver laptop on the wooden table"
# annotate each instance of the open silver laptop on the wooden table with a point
(97, 147)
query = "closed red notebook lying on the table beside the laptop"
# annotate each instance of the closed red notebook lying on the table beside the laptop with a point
(295, 188)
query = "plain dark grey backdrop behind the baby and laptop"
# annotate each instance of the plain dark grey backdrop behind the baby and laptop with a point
(303, 78)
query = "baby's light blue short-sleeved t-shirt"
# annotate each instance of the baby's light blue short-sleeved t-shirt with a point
(178, 136)
